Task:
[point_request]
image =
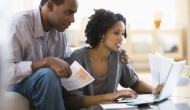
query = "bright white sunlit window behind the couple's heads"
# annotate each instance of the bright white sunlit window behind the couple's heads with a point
(139, 13)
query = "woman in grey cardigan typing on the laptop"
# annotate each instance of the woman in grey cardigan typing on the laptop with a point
(105, 32)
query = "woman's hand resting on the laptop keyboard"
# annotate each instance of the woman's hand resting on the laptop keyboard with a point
(122, 93)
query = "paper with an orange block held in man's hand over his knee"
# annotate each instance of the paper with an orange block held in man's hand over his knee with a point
(79, 78)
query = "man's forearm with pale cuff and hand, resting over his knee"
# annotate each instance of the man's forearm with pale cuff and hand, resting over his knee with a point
(16, 72)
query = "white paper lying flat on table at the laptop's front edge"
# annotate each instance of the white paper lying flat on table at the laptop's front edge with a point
(115, 106)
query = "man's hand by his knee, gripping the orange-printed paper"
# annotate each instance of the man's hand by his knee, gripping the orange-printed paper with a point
(61, 67)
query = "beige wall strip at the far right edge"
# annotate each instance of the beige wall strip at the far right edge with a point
(182, 10)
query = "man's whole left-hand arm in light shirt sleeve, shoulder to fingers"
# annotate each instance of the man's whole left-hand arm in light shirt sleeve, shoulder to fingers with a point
(19, 69)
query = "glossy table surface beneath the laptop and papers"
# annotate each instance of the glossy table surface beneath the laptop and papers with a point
(180, 100)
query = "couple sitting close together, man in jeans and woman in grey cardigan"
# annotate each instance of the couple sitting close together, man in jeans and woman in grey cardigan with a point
(37, 38)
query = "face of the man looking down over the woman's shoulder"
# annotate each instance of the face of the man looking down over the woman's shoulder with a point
(62, 16)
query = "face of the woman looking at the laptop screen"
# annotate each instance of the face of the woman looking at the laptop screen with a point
(114, 36)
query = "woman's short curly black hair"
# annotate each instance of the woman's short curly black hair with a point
(99, 23)
